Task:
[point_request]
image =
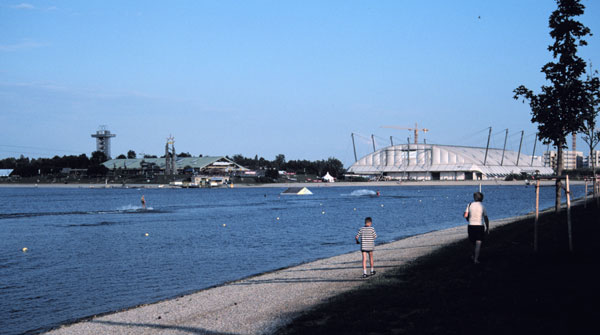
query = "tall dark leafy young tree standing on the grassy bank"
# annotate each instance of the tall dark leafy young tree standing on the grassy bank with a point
(560, 108)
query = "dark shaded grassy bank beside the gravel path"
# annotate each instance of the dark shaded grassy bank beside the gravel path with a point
(513, 291)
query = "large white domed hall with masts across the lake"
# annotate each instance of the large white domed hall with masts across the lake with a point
(445, 162)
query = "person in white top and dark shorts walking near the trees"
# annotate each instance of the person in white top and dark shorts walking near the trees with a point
(474, 213)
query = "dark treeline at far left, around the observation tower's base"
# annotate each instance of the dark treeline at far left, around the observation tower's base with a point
(26, 167)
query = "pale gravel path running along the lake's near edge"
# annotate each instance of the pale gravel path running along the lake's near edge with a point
(261, 304)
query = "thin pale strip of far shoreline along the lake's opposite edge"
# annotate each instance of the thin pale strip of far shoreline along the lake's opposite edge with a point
(308, 185)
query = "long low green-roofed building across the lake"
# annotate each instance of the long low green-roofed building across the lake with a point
(213, 165)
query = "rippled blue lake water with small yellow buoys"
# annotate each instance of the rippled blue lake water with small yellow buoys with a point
(93, 251)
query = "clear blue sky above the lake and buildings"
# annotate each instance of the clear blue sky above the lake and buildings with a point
(270, 77)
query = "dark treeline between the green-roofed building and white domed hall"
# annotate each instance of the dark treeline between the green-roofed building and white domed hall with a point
(320, 167)
